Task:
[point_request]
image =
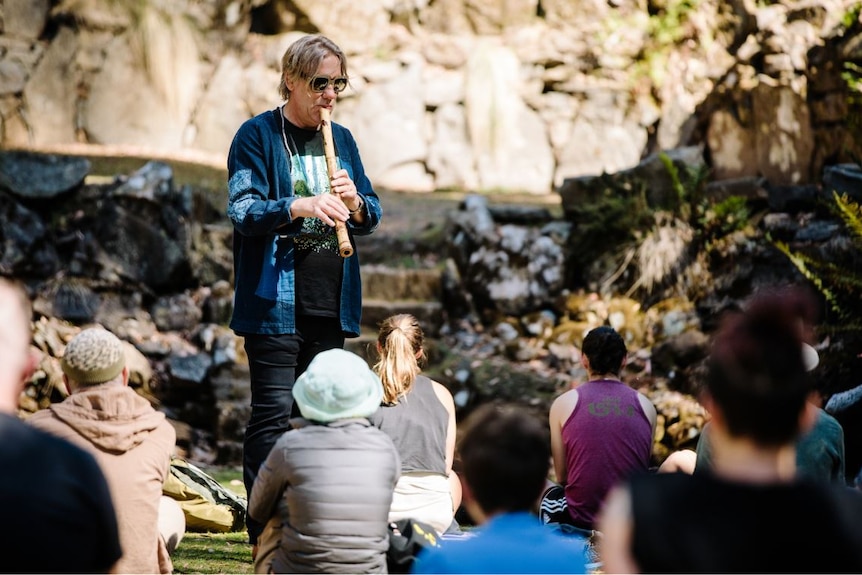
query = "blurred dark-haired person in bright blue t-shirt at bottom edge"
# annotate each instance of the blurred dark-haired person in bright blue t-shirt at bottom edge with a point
(504, 453)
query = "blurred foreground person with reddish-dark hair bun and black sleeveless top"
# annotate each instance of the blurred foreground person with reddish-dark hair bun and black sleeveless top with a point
(751, 512)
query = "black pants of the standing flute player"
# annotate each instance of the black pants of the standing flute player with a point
(274, 362)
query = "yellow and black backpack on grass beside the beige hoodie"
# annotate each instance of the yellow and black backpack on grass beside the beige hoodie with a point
(206, 503)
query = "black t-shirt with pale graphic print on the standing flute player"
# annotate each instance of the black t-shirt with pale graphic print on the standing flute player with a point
(317, 263)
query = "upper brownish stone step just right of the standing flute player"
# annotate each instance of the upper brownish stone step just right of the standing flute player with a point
(382, 282)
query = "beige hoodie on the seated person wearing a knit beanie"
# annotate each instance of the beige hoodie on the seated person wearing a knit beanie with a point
(133, 444)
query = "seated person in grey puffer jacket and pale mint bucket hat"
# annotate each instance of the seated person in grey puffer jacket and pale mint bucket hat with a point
(328, 481)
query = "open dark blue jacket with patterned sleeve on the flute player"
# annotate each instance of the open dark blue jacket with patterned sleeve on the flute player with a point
(260, 196)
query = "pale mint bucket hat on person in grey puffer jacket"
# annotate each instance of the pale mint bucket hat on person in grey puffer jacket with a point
(338, 384)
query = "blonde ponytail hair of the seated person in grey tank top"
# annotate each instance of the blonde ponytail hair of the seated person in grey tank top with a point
(400, 348)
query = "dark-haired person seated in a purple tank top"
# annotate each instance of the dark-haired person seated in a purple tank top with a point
(601, 432)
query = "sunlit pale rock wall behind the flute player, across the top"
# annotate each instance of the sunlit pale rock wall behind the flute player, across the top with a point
(452, 94)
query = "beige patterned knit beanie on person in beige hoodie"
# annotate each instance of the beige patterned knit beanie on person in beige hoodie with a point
(93, 356)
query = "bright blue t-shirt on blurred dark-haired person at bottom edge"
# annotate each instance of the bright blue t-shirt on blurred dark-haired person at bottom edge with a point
(508, 543)
